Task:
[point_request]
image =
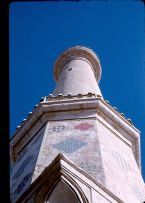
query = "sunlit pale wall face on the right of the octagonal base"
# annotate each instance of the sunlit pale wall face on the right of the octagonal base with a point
(122, 174)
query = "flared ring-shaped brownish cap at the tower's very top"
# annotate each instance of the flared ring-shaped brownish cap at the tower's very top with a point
(78, 52)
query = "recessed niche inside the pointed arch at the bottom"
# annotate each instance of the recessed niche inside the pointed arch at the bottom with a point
(62, 193)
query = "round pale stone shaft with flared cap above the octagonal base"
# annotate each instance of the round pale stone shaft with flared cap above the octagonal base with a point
(77, 71)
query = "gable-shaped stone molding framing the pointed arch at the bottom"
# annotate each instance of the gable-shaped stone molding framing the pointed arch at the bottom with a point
(61, 168)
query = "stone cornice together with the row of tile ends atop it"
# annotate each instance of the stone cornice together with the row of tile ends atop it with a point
(60, 103)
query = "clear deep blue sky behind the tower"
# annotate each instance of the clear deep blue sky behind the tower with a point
(39, 32)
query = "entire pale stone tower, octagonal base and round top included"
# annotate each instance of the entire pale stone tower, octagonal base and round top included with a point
(74, 147)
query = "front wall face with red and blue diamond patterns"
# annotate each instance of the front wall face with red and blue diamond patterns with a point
(76, 139)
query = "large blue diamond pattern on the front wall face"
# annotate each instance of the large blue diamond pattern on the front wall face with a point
(69, 145)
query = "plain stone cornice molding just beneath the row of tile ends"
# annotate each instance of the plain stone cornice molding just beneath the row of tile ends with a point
(97, 104)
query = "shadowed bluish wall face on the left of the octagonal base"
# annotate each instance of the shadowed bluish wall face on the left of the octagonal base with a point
(24, 167)
